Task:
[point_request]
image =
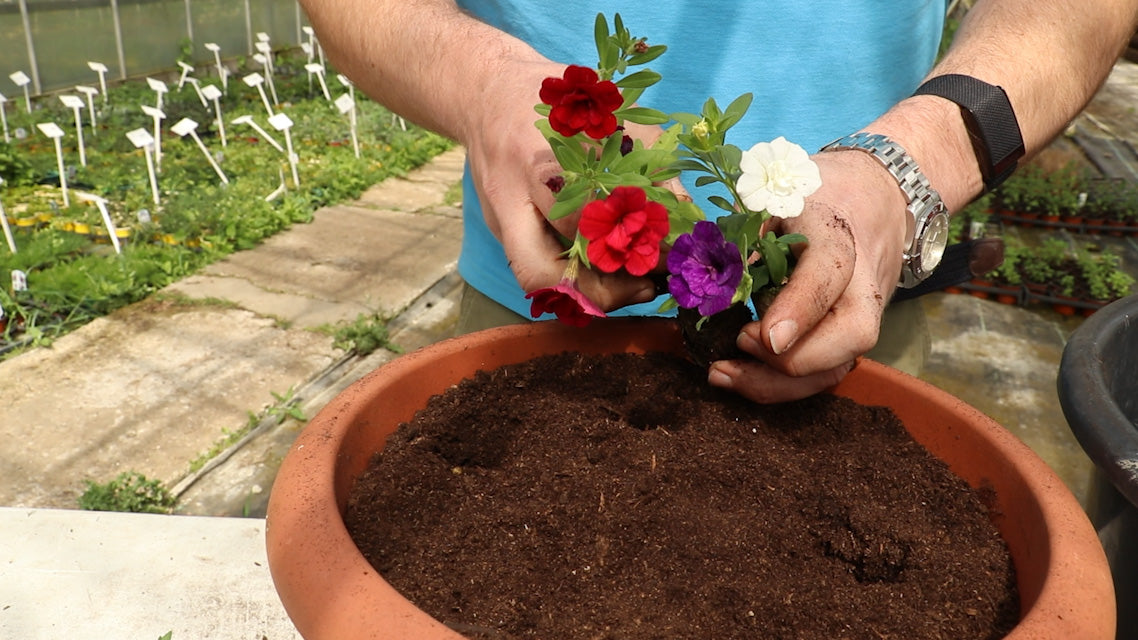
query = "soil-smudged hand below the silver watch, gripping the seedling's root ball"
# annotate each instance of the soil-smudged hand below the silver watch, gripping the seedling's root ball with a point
(830, 311)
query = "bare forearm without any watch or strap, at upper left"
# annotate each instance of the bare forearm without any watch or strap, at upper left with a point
(426, 61)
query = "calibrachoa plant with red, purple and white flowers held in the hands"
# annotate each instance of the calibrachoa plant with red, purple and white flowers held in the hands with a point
(629, 218)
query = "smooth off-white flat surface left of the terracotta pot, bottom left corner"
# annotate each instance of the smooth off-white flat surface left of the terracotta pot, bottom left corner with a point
(87, 576)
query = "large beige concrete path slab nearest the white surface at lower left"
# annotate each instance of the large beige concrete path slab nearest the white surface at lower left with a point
(147, 389)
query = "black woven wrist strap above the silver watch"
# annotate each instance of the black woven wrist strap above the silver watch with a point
(989, 119)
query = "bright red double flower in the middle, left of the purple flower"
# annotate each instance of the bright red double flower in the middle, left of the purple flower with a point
(624, 231)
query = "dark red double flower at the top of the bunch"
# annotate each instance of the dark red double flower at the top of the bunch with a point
(582, 103)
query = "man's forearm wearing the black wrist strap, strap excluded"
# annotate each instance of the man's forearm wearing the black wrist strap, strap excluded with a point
(1049, 56)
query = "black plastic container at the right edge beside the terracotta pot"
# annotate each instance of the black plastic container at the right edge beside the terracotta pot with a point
(1099, 392)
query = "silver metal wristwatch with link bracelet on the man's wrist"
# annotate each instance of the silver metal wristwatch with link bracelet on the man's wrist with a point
(929, 233)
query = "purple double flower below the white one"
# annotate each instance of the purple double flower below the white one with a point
(706, 269)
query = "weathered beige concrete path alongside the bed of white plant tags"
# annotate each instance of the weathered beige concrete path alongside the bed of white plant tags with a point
(159, 384)
